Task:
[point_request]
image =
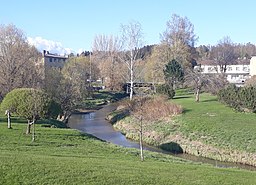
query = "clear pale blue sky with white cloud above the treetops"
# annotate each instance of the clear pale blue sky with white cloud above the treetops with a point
(64, 26)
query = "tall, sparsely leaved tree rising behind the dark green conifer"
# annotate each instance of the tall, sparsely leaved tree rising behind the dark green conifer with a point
(180, 38)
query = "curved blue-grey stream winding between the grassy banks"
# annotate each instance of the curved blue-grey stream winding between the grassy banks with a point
(94, 123)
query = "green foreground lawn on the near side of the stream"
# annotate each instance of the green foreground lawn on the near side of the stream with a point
(62, 156)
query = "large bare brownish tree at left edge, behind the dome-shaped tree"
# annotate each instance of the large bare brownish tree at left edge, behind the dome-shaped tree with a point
(18, 60)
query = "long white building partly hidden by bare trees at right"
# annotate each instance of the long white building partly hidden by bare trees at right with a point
(236, 74)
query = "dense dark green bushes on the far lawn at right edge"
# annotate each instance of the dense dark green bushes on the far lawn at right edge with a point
(239, 98)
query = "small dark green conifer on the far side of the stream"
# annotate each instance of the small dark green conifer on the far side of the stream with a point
(173, 73)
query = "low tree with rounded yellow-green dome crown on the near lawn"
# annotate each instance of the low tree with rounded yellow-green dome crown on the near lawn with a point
(29, 103)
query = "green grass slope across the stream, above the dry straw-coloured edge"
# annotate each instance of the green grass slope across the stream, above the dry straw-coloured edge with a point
(216, 124)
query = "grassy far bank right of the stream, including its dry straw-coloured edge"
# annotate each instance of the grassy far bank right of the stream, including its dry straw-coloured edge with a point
(208, 129)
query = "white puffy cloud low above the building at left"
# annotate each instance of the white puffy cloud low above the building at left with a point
(49, 45)
